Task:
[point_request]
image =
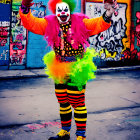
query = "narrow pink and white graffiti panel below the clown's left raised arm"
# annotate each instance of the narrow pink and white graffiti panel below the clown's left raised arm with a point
(18, 39)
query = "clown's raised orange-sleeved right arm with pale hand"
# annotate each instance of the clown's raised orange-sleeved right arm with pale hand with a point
(100, 24)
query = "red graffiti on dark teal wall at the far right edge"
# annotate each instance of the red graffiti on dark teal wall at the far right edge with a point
(133, 53)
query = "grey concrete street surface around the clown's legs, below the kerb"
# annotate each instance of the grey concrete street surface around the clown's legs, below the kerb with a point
(29, 108)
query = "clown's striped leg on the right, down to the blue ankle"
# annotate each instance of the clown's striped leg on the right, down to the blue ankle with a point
(77, 100)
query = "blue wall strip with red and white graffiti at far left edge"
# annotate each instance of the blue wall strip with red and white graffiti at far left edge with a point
(4, 32)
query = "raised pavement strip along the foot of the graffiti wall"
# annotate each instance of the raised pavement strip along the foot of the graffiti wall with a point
(30, 73)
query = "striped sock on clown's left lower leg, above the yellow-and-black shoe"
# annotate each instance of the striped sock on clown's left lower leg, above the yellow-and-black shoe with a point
(66, 116)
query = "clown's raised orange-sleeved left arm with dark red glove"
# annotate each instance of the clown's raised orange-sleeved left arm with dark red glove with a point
(31, 23)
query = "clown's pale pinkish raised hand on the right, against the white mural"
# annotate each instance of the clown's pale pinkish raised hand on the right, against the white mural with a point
(110, 6)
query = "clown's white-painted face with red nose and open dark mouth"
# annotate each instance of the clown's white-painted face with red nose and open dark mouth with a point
(62, 12)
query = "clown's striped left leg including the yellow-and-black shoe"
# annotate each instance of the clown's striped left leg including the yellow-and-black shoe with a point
(65, 112)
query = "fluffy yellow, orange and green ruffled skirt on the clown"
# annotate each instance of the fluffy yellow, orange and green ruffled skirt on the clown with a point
(79, 72)
